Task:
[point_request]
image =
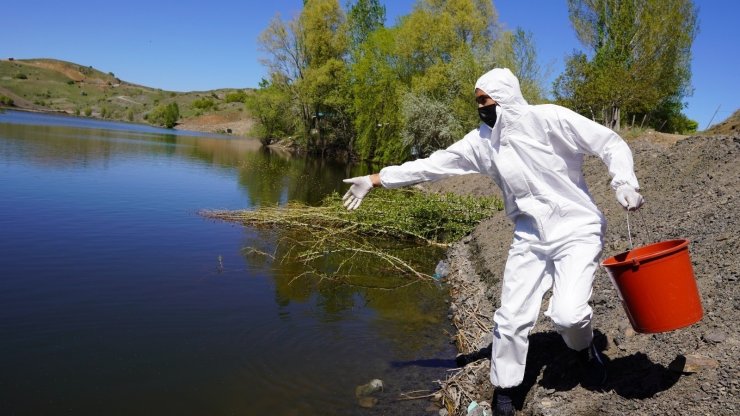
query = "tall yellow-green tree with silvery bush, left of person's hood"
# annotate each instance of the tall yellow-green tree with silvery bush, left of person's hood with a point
(443, 46)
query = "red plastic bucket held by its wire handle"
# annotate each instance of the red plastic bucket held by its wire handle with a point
(656, 285)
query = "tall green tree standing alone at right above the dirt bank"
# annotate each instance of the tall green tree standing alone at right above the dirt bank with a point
(637, 59)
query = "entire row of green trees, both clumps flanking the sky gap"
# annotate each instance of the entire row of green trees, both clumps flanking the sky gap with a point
(341, 81)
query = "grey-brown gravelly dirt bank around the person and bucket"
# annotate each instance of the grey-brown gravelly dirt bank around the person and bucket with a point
(691, 189)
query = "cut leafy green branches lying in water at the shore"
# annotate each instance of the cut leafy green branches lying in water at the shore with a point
(331, 242)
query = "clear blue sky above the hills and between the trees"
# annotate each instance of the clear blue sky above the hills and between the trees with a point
(194, 45)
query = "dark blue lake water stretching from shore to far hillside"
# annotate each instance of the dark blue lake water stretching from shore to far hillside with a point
(117, 298)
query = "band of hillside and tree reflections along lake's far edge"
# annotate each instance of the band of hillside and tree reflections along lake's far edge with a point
(267, 175)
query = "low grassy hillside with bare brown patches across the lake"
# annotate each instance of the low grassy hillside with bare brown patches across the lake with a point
(59, 86)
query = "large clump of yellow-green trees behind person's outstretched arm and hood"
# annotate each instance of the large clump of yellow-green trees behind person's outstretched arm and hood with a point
(354, 84)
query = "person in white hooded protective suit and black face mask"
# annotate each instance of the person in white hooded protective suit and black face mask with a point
(534, 153)
